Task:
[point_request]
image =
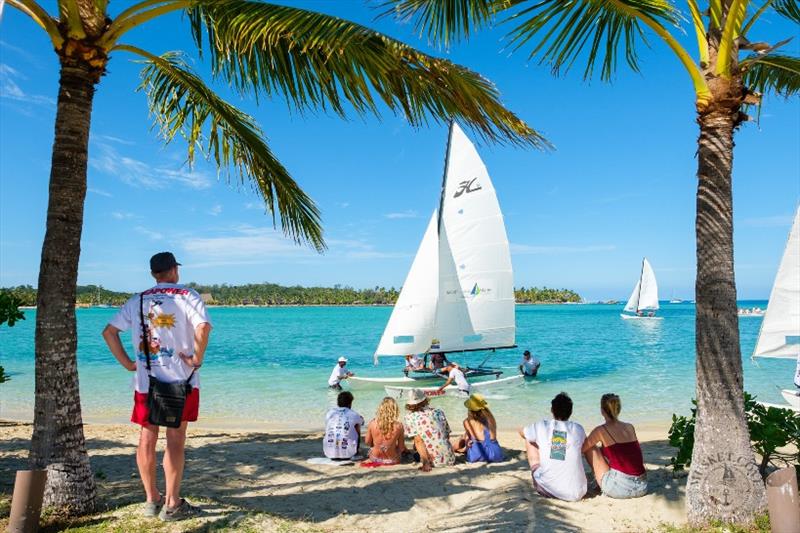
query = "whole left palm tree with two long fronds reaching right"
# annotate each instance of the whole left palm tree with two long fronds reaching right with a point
(314, 61)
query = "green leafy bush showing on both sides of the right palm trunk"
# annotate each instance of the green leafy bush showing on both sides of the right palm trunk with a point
(771, 431)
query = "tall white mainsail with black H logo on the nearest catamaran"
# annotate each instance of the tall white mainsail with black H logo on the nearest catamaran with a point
(476, 281)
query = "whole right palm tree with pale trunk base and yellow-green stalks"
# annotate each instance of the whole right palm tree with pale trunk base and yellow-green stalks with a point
(731, 73)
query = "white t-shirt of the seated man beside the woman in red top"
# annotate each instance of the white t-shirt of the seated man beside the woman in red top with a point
(561, 472)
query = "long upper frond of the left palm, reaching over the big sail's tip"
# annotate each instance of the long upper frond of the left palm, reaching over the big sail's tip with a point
(317, 61)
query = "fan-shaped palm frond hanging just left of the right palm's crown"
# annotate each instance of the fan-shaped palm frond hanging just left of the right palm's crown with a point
(594, 28)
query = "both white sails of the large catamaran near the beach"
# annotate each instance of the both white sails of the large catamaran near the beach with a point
(459, 293)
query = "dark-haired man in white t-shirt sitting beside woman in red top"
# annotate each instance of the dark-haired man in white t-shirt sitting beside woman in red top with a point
(554, 453)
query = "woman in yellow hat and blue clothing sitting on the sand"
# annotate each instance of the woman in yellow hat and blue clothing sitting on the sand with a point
(479, 443)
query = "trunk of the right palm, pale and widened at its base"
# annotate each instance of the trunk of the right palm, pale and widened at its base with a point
(724, 482)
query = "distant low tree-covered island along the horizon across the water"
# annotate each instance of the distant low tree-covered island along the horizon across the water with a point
(271, 294)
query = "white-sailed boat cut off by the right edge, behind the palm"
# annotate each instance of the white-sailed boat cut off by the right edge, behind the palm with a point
(780, 330)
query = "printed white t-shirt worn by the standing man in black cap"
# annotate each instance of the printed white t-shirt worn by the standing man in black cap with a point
(172, 312)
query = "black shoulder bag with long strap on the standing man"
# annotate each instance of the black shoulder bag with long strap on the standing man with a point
(165, 401)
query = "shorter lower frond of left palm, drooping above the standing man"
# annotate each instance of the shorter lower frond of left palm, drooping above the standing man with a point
(182, 104)
